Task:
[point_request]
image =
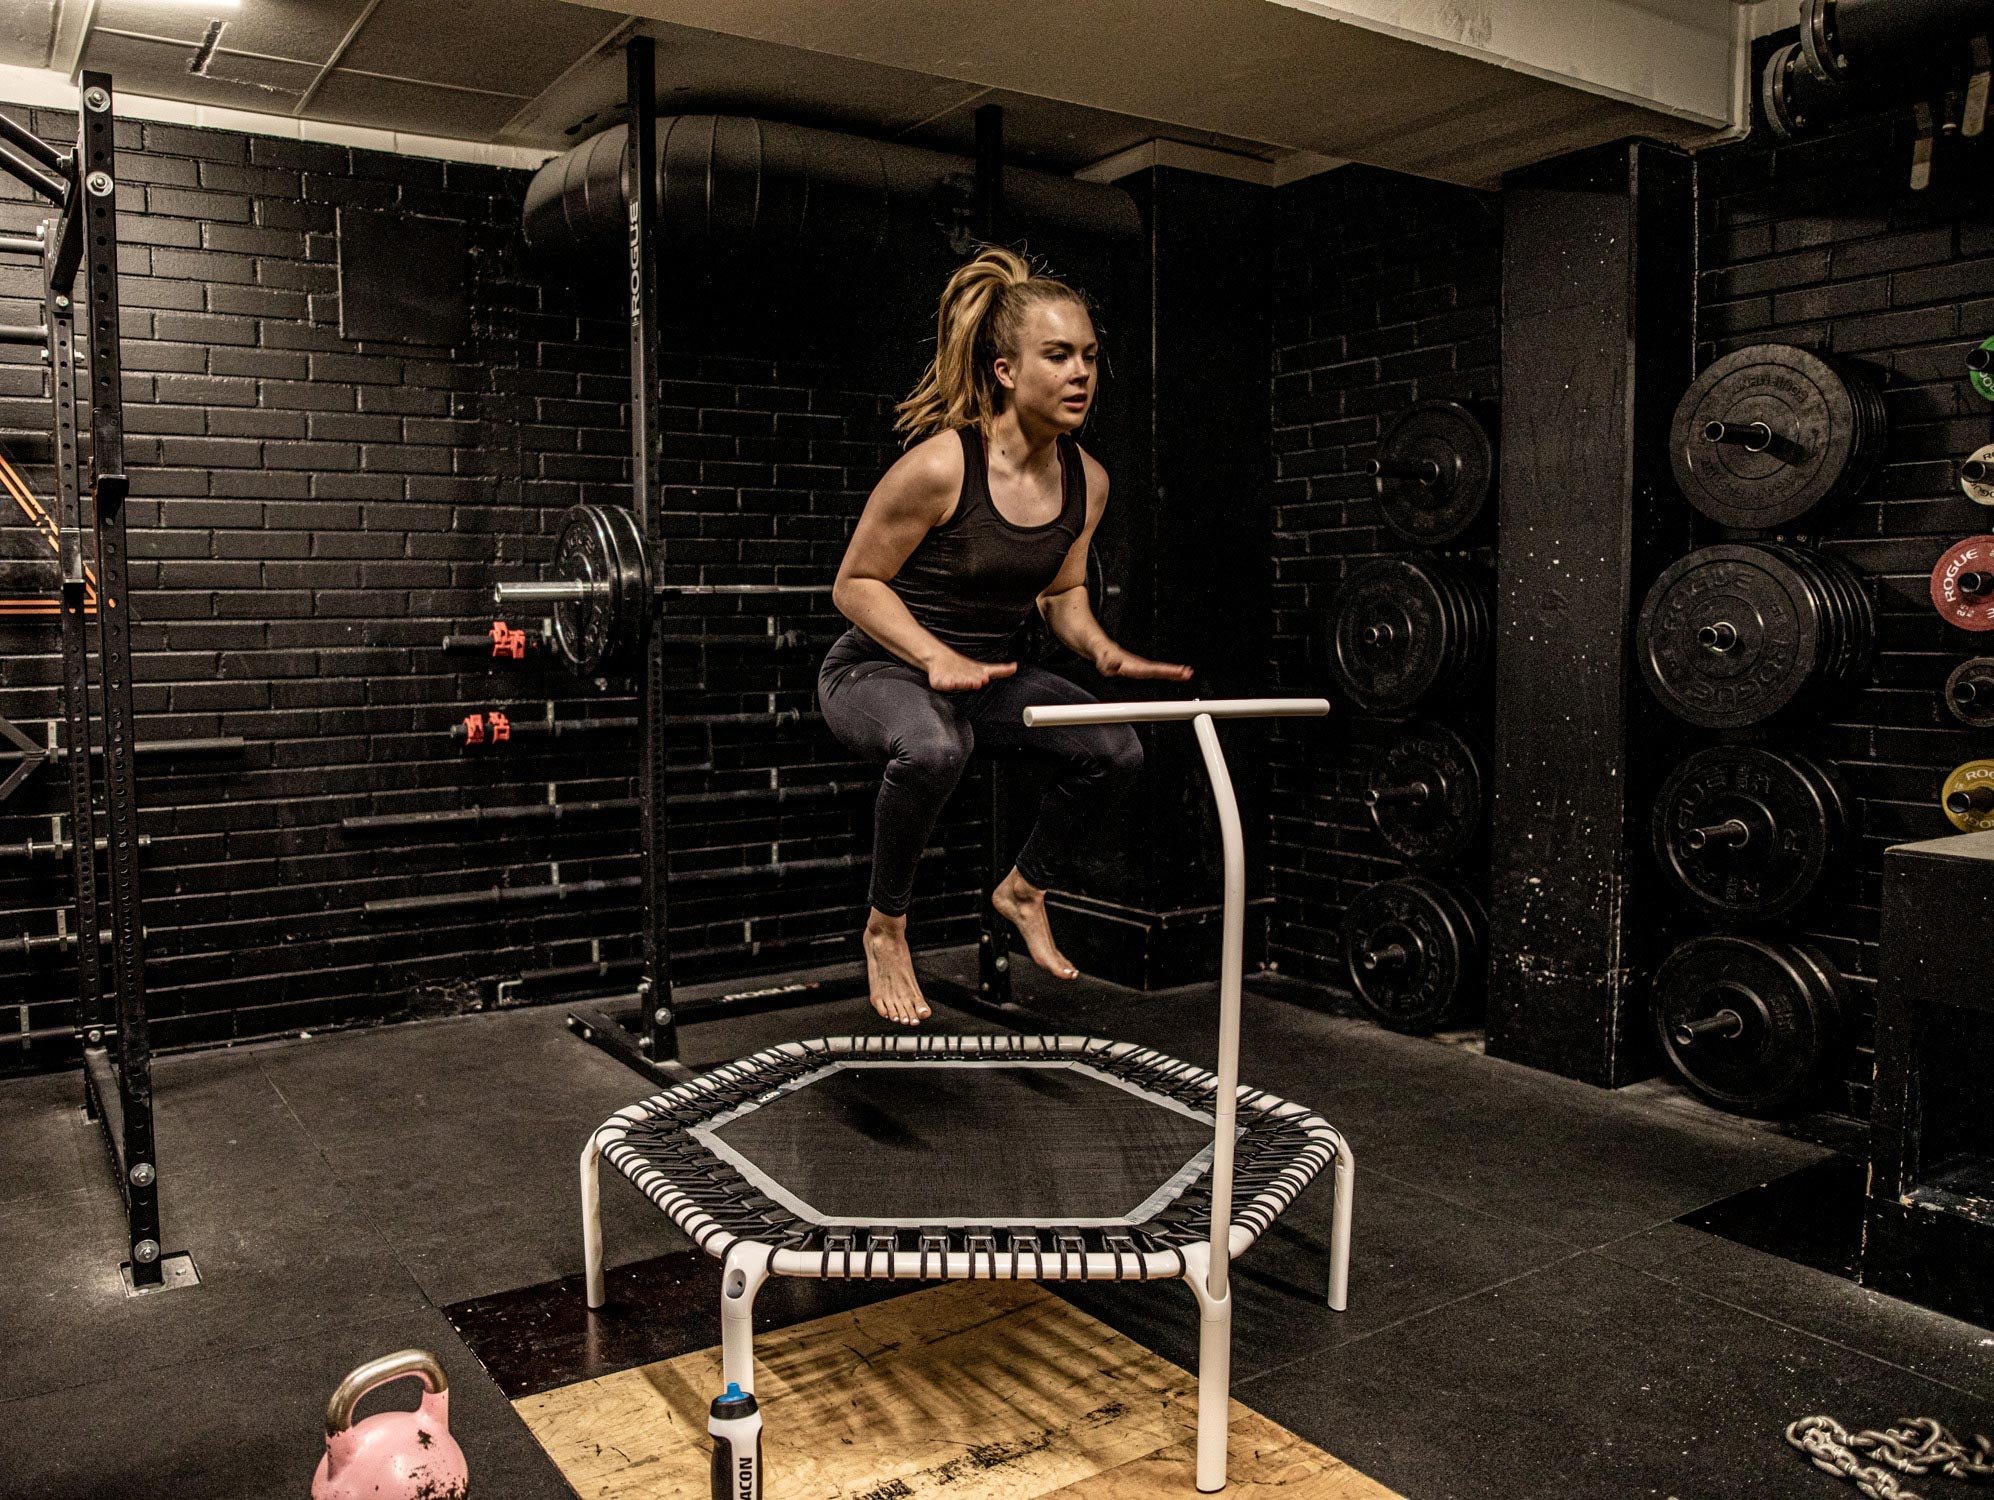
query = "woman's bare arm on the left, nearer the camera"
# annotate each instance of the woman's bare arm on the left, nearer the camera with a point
(910, 500)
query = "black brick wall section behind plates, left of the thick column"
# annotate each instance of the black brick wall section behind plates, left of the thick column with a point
(1385, 294)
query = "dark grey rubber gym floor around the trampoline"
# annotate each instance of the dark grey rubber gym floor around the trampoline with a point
(1526, 1313)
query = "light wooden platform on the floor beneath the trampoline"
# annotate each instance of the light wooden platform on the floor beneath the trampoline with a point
(962, 1391)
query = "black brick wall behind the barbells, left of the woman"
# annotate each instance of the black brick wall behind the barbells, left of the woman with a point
(312, 518)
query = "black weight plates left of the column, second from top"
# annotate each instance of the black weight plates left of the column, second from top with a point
(1403, 631)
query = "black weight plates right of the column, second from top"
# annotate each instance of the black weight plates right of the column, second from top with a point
(1738, 633)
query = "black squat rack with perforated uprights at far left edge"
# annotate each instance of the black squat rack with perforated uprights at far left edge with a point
(79, 252)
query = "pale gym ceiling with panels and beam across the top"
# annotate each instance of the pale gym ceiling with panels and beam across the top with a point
(1459, 91)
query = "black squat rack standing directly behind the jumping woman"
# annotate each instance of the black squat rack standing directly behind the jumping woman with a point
(647, 1036)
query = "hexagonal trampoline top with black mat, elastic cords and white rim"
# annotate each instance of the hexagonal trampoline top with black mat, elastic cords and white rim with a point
(934, 1156)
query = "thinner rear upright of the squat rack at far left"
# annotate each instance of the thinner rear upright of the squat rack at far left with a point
(59, 312)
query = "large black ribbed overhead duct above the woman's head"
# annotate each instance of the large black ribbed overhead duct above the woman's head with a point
(733, 187)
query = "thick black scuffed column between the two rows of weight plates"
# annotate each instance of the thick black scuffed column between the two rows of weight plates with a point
(1596, 350)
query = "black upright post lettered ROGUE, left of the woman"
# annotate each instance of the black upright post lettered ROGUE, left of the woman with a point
(647, 498)
